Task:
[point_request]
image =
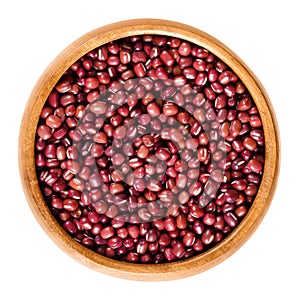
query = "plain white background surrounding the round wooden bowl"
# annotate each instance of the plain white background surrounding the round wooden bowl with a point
(265, 34)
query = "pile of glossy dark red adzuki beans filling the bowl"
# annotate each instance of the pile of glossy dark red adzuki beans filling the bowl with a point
(149, 149)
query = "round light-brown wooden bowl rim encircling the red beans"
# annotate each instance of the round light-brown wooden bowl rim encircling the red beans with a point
(150, 272)
